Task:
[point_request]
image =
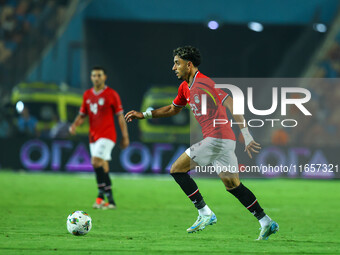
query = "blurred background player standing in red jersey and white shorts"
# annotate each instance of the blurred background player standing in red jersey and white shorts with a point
(100, 104)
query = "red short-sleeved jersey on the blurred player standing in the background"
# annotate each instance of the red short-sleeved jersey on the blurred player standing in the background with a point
(100, 107)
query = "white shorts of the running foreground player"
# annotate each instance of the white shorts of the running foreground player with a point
(220, 153)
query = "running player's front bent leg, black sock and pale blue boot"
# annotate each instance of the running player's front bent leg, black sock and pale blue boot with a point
(179, 172)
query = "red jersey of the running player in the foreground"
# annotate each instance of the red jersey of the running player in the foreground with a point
(202, 85)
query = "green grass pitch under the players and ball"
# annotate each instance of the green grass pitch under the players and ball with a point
(153, 214)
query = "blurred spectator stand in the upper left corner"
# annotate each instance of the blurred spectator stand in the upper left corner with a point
(26, 27)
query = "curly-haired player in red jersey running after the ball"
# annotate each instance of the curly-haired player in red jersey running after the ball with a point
(218, 144)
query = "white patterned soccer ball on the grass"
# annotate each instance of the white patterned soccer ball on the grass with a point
(79, 223)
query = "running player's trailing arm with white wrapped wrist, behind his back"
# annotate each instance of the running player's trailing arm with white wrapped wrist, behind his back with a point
(250, 144)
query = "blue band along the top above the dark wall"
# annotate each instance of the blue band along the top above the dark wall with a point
(227, 11)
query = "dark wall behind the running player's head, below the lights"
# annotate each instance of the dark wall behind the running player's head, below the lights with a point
(138, 55)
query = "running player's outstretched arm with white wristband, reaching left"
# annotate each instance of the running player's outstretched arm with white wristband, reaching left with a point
(166, 111)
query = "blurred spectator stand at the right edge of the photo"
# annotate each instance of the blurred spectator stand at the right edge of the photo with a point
(324, 128)
